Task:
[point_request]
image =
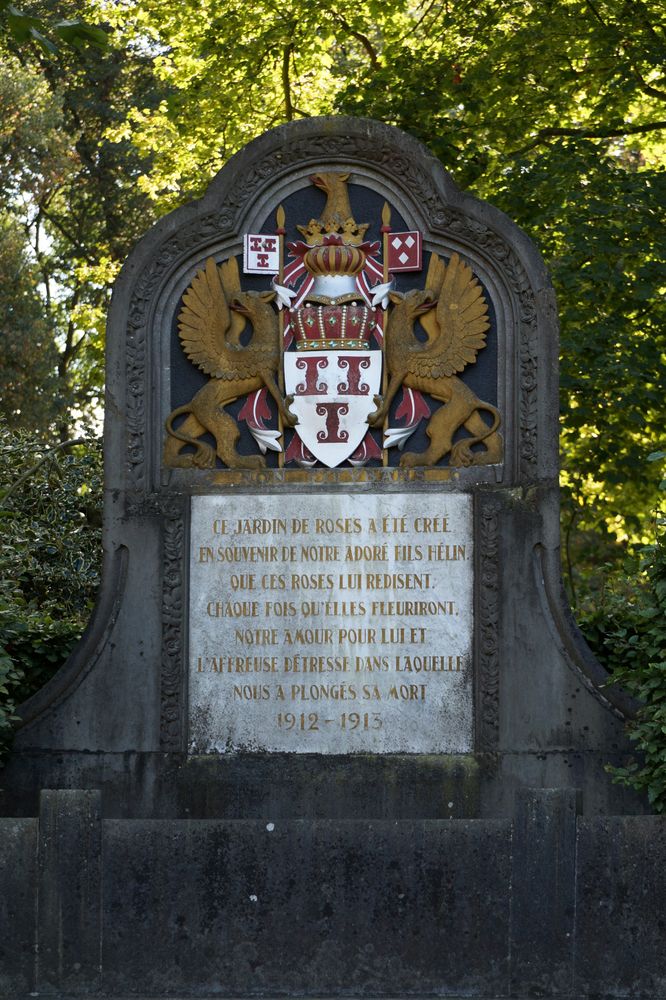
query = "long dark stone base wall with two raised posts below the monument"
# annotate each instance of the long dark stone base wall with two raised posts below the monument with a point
(548, 904)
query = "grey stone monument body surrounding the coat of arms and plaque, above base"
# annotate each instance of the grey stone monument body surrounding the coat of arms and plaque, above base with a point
(540, 714)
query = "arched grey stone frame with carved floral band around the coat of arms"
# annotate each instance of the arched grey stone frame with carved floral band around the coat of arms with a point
(239, 195)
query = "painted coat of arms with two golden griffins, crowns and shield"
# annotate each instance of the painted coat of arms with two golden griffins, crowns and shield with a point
(351, 365)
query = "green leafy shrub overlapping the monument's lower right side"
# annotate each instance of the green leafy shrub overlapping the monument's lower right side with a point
(626, 628)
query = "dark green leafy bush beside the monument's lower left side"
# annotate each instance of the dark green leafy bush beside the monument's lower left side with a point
(50, 519)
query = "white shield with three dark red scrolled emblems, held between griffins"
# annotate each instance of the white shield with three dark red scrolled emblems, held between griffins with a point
(333, 396)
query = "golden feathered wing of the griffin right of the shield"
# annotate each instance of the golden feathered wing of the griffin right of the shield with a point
(457, 327)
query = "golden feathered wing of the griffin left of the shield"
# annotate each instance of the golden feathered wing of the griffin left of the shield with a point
(206, 319)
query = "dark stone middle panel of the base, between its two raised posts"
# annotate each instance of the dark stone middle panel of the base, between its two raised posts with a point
(316, 908)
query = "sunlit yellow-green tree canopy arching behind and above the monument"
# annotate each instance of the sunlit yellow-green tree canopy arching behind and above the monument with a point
(554, 111)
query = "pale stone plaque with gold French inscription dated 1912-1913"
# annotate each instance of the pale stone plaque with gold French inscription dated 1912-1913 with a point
(331, 623)
